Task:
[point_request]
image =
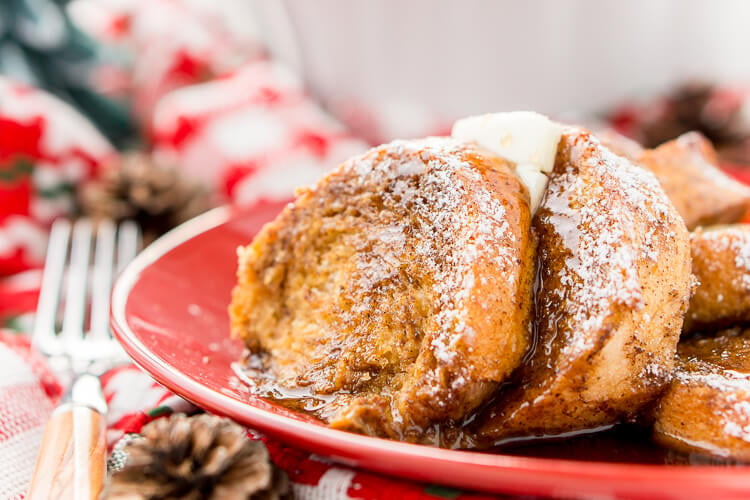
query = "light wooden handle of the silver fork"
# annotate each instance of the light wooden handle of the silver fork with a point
(72, 459)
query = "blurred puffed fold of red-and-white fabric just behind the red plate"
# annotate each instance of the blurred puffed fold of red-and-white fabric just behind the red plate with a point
(253, 134)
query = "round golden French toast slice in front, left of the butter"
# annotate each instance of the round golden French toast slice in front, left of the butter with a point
(398, 288)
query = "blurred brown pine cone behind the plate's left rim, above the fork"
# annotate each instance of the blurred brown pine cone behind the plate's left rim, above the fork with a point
(157, 197)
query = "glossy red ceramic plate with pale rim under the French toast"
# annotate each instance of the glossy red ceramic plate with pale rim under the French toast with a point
(169, 311)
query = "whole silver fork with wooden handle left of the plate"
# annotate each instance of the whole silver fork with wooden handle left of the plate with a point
(71, 461)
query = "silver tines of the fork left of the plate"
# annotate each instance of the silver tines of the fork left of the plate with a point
(82, 259)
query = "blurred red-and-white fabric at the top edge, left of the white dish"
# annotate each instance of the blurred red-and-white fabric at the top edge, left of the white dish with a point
(173, 43)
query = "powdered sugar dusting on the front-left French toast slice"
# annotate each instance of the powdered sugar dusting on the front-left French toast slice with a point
(435, 183)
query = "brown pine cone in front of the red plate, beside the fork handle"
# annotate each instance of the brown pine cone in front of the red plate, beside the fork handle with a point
(195, 458)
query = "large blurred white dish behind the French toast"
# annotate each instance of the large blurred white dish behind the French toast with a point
(418, 62)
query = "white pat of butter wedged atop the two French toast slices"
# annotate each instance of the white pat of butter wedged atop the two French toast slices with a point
(526, 138)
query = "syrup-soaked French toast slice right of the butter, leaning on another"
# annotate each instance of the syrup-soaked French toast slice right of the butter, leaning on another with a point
(614, 284)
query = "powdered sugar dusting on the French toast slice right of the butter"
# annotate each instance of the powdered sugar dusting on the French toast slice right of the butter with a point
(606, 213)
